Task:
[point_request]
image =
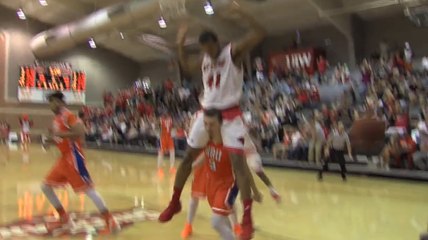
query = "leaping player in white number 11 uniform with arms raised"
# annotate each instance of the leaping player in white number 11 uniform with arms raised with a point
(223, 82)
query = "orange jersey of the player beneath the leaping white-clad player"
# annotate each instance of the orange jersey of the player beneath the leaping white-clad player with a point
(218, 162)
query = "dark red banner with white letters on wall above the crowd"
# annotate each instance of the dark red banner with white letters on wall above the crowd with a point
(295, 60)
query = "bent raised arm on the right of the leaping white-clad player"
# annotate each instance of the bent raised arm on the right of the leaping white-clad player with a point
(251, 39)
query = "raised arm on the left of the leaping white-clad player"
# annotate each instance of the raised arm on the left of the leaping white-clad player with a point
(186, 64)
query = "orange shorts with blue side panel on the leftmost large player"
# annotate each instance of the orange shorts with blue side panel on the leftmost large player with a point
(70, 169)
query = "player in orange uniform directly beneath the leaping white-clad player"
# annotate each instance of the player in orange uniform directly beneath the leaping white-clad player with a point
(218, 184)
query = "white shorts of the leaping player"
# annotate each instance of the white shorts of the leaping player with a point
(233, 132)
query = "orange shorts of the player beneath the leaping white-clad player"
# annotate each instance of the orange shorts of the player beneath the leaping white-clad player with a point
(221, 195)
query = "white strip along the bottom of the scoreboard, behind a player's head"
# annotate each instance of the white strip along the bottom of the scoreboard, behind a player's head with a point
(34, 95)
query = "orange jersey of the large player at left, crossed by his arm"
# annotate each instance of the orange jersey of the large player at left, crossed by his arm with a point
(62, 123)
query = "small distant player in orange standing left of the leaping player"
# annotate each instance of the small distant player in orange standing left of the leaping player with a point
(166, 144)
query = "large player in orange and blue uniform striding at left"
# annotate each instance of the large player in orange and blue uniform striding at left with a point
(70, 169)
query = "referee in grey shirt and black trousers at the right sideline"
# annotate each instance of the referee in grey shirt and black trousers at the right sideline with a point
(337, 143)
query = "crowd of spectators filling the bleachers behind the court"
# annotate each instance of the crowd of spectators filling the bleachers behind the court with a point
(284, 111)
